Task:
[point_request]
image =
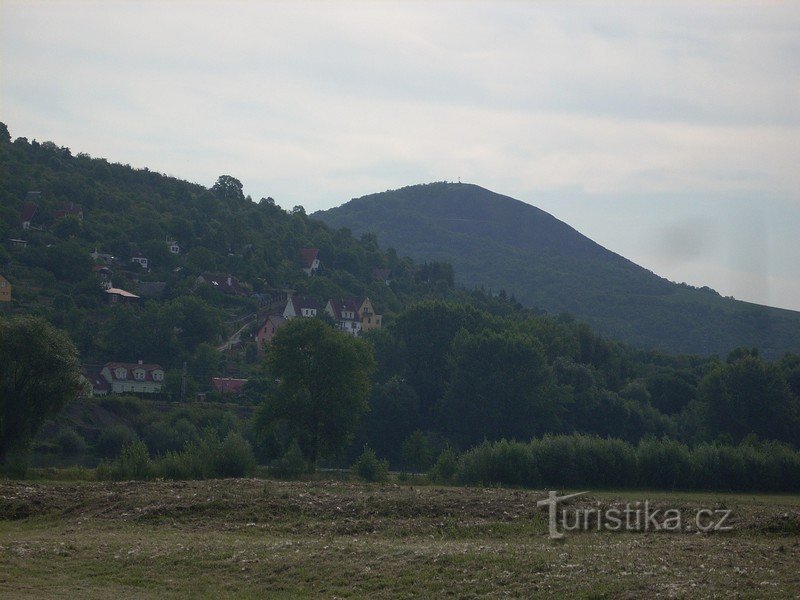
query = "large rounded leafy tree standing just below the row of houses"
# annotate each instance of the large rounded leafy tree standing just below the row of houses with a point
(322, 385)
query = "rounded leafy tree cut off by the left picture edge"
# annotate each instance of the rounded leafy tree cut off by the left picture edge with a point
(39, 375)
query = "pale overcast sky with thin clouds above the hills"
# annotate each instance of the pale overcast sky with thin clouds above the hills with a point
(668, 132)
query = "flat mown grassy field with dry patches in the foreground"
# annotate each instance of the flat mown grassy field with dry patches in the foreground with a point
(262, 538)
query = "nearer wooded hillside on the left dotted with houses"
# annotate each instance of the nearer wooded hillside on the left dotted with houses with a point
(85, 205)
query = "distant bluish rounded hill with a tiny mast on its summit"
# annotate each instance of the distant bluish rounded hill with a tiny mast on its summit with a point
(504, 244)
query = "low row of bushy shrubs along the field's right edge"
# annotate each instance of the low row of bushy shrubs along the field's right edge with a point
(569, 461)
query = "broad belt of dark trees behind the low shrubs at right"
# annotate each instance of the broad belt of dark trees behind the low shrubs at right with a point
(451, 373)
